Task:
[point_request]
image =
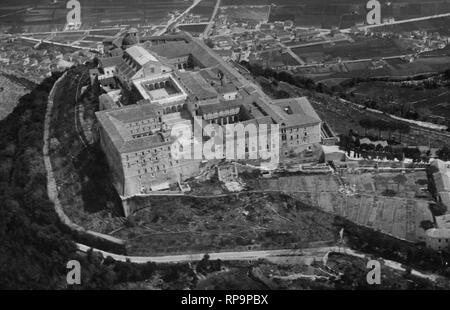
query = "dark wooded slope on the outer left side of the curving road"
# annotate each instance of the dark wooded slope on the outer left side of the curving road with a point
(34, 245)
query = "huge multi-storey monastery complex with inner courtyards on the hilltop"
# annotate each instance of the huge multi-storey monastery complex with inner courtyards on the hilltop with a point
(175, 81)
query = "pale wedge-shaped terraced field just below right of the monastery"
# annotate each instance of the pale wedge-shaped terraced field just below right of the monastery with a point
(388, 202)
